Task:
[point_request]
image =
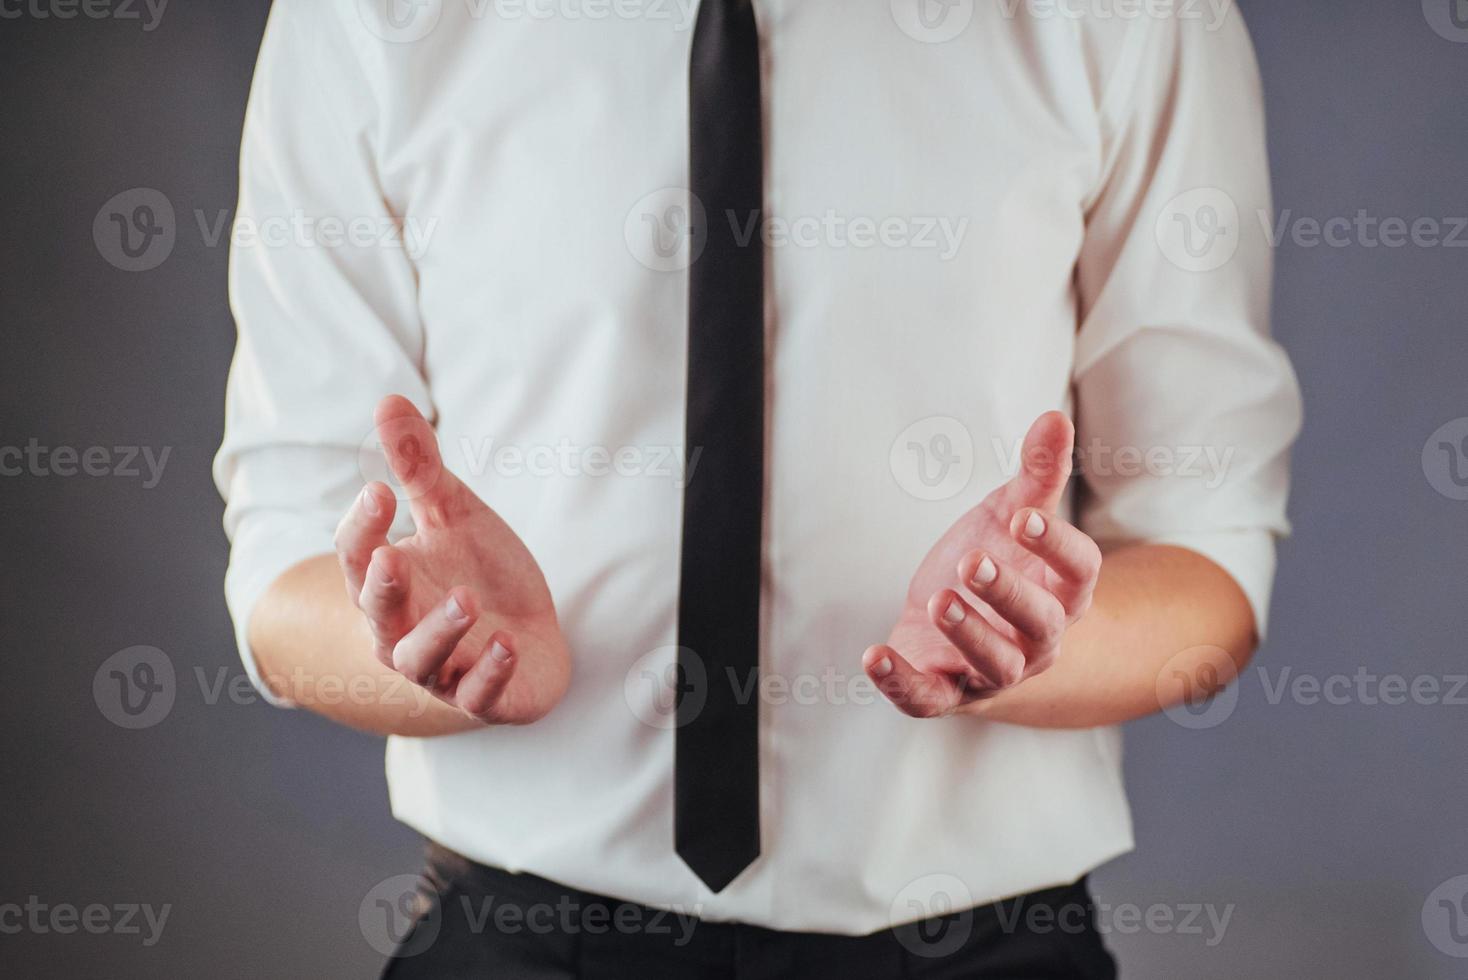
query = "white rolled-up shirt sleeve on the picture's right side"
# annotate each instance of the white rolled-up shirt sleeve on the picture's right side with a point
(1185, 406)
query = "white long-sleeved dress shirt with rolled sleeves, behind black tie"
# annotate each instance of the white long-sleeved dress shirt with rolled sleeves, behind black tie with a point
(973, 219)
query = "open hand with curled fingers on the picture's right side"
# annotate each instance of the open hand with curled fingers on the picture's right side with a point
(993, 599)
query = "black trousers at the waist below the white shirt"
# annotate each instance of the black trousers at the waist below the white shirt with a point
(490, 924)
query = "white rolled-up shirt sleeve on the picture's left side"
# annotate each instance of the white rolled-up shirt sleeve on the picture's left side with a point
(324, 297)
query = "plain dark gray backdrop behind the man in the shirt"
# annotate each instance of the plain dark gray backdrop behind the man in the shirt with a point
(1329, 830)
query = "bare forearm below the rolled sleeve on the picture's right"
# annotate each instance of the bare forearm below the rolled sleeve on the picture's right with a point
(1158, 610)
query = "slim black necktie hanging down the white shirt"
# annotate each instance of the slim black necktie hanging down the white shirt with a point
(717, 746)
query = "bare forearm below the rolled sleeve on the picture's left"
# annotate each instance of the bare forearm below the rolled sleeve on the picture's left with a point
(315, 649)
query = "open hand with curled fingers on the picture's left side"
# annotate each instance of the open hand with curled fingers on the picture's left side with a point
(460, 608)
